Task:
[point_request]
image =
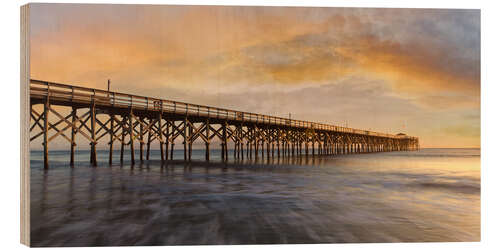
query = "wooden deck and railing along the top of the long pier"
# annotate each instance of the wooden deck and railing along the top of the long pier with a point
(76, 94)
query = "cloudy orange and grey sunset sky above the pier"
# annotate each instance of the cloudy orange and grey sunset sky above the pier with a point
(415, 71)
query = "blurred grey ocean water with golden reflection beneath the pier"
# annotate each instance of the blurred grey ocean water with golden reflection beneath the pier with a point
(416, 196)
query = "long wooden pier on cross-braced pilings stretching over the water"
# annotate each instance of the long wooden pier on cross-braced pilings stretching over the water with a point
(111, 117)
